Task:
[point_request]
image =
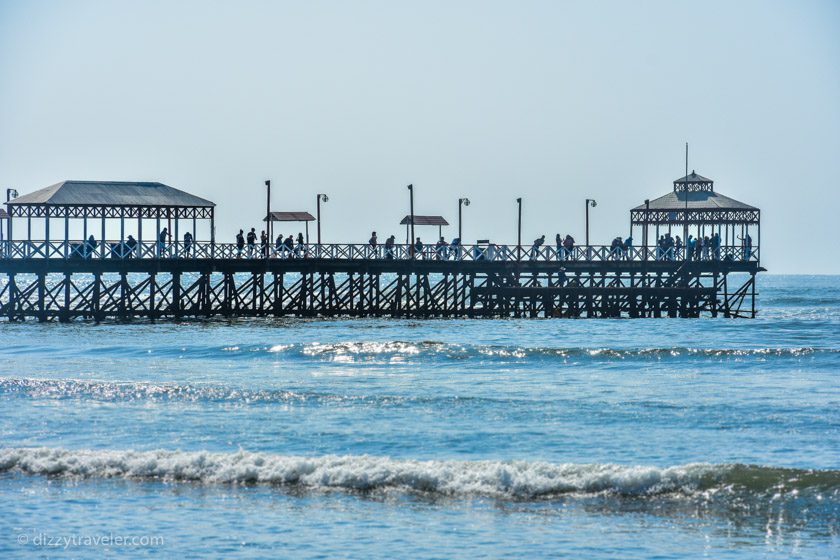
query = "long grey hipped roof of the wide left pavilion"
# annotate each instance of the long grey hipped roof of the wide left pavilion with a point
(112, 194)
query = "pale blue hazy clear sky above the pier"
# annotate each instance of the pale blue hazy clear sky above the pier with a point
(554, 102)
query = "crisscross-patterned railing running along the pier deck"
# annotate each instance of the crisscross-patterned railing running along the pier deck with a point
(349, 251)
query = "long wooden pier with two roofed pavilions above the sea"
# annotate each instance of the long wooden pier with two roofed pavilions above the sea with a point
(164, 278)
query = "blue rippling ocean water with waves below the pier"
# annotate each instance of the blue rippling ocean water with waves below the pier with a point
(381, 438)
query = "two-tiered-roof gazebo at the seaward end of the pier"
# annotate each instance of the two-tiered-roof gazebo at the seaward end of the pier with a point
(694, 208)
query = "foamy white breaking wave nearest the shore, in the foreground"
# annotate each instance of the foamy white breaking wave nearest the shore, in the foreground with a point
(516, 480)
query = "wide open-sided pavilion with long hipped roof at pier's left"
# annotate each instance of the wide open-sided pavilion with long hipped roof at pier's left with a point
(105, 201)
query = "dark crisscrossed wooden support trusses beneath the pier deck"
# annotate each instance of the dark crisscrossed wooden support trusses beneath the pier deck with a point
(64, 290)
